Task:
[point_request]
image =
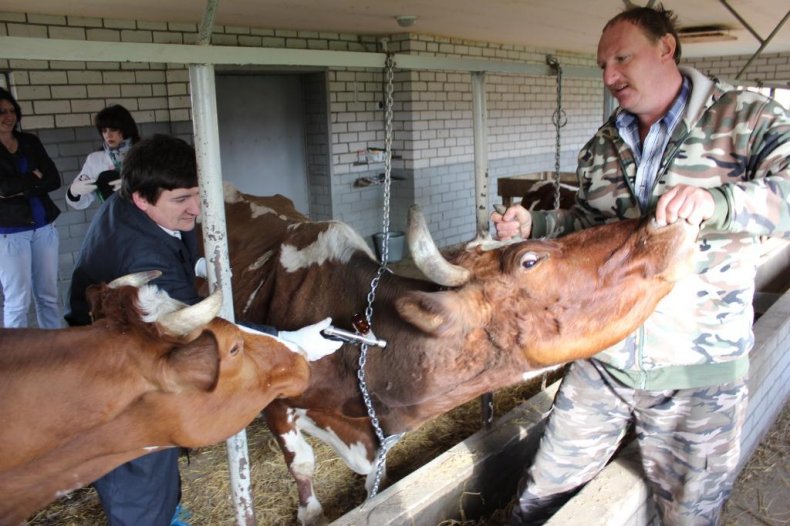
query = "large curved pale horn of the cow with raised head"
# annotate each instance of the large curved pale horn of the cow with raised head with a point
(427, 257)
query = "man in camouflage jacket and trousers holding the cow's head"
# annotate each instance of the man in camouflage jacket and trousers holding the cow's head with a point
(681, 147)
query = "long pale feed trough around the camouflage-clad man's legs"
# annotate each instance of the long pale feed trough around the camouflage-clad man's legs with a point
(480, 474)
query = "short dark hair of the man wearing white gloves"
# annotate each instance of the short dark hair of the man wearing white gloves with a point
(158, 163)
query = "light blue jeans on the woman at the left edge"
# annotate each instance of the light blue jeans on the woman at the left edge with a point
(29, 270)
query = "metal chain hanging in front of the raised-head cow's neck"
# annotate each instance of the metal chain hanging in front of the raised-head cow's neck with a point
(385, 443)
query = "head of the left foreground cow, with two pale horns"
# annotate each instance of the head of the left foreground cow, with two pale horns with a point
(212, 357)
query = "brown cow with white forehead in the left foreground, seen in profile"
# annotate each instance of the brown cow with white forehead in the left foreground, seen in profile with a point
(151, 374)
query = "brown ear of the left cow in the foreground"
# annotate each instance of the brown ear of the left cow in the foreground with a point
(194, 364)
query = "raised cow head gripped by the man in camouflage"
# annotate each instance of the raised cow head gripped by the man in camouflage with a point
(556, 300)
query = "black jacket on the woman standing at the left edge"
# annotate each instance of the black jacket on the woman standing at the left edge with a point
(16, 186)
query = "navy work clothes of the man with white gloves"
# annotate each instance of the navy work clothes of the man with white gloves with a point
(121, 240)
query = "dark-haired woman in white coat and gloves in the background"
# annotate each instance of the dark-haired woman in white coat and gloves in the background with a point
(101, 174)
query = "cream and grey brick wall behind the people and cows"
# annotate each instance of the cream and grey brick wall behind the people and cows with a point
(432, 124)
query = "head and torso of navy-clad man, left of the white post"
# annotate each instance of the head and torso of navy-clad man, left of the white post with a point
(150, 225)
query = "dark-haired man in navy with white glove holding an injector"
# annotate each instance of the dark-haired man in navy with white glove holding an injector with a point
(149, 224)
